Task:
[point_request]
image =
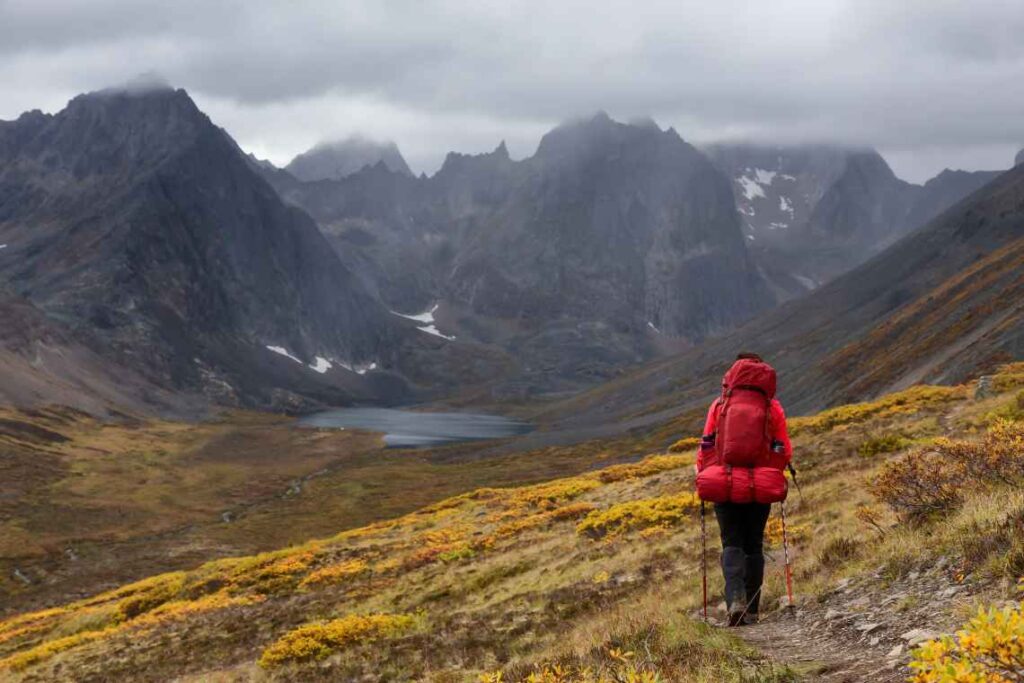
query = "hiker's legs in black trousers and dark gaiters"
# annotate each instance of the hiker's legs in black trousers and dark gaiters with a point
(743, 529)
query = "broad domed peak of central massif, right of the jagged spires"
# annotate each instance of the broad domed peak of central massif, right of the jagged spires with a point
(615, 223)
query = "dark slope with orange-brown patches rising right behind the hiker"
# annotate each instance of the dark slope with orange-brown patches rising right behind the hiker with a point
(945, 303)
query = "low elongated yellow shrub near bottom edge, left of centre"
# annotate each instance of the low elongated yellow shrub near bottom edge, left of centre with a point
(317, 642)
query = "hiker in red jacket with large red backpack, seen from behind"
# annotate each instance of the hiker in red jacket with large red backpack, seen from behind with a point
(741, 462)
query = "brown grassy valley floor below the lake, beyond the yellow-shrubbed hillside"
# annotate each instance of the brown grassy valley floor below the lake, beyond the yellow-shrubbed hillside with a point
(87, 505)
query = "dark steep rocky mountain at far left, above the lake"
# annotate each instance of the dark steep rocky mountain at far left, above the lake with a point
(137, 223)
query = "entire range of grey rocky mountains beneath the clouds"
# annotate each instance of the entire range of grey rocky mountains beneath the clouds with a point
(138, 233)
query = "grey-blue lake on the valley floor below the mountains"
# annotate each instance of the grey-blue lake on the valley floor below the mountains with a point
(407, 429)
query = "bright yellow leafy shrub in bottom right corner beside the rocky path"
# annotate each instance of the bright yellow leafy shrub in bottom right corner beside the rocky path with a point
(989, 650)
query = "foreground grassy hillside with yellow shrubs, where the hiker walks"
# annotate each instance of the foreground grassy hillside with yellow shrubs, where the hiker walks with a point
(590, 578)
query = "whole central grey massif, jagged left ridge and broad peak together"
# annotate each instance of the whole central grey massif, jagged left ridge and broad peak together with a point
(612, 240)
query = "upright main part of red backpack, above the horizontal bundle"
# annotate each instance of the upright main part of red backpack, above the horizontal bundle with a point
(744, 438)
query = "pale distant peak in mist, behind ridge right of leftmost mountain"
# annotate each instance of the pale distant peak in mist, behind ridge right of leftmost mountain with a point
(342, 159)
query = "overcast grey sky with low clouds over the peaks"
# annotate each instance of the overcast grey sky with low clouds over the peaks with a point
(930, 83)
